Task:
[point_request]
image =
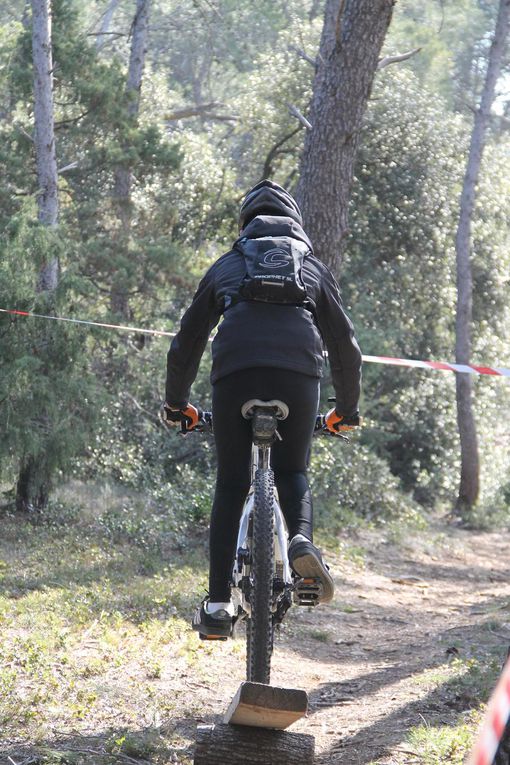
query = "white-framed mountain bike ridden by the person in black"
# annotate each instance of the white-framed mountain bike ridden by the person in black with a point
(263, 585)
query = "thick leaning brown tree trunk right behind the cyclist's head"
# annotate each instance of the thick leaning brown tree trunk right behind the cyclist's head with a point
(352, 37)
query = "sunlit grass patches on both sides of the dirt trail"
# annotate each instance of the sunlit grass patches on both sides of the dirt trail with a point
(97, 657)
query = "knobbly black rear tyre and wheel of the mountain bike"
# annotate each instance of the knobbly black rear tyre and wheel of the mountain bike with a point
(260, 628)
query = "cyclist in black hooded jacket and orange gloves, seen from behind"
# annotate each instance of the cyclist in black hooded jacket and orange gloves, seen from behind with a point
(264, 350)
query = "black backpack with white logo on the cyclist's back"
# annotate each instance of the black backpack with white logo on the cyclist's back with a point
(273, 270)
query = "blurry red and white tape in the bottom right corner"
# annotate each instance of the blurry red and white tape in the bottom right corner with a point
(494, 722)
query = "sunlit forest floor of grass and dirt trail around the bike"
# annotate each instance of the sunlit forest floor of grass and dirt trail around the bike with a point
(98, 664)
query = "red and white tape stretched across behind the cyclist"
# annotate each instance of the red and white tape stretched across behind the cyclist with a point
(440, 366)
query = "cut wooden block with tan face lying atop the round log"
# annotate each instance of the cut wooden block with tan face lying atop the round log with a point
(265, 706)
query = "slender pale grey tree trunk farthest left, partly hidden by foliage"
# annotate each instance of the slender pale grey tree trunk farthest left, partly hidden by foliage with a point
(32, 487)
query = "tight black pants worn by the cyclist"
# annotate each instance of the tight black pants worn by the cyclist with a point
(289, 459)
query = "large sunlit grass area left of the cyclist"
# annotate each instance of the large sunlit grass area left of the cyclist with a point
(94, 629)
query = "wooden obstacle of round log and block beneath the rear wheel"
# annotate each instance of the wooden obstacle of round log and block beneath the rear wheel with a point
(252, 732)
